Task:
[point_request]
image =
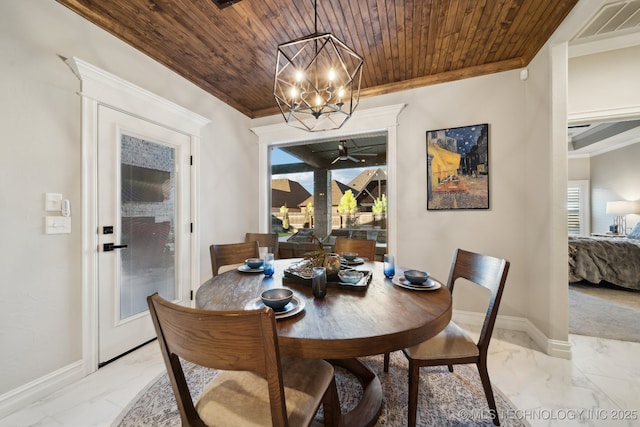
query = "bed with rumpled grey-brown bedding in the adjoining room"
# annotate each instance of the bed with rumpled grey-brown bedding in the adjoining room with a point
(611, 259)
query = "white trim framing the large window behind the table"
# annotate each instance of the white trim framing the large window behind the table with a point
(362, 122)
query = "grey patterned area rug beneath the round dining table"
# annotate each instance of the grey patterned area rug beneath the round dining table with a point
(445, 399)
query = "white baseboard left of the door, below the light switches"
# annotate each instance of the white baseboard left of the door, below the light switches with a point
(35, 390)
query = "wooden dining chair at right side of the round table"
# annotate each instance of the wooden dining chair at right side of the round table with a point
(452, 346)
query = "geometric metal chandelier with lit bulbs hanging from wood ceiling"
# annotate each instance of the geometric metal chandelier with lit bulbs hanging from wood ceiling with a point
(317, 81)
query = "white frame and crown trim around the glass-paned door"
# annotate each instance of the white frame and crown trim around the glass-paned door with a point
(99, 87)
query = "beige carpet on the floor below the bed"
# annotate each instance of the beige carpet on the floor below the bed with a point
(604, 312)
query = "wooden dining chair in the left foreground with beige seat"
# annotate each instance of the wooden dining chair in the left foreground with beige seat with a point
(254, 386)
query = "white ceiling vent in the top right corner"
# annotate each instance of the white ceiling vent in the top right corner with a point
(621, 16)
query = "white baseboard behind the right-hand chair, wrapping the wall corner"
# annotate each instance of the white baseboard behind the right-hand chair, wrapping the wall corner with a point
(555, 348)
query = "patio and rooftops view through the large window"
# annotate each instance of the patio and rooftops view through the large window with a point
(328, 189)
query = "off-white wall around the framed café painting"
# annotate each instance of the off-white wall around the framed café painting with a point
(427, 239)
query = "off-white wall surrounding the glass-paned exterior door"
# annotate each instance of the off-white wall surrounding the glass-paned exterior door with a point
(40, 295)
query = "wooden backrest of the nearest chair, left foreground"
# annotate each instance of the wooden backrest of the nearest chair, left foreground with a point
(227, 340)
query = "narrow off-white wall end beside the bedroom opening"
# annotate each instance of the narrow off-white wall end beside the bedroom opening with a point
(544, 225)
